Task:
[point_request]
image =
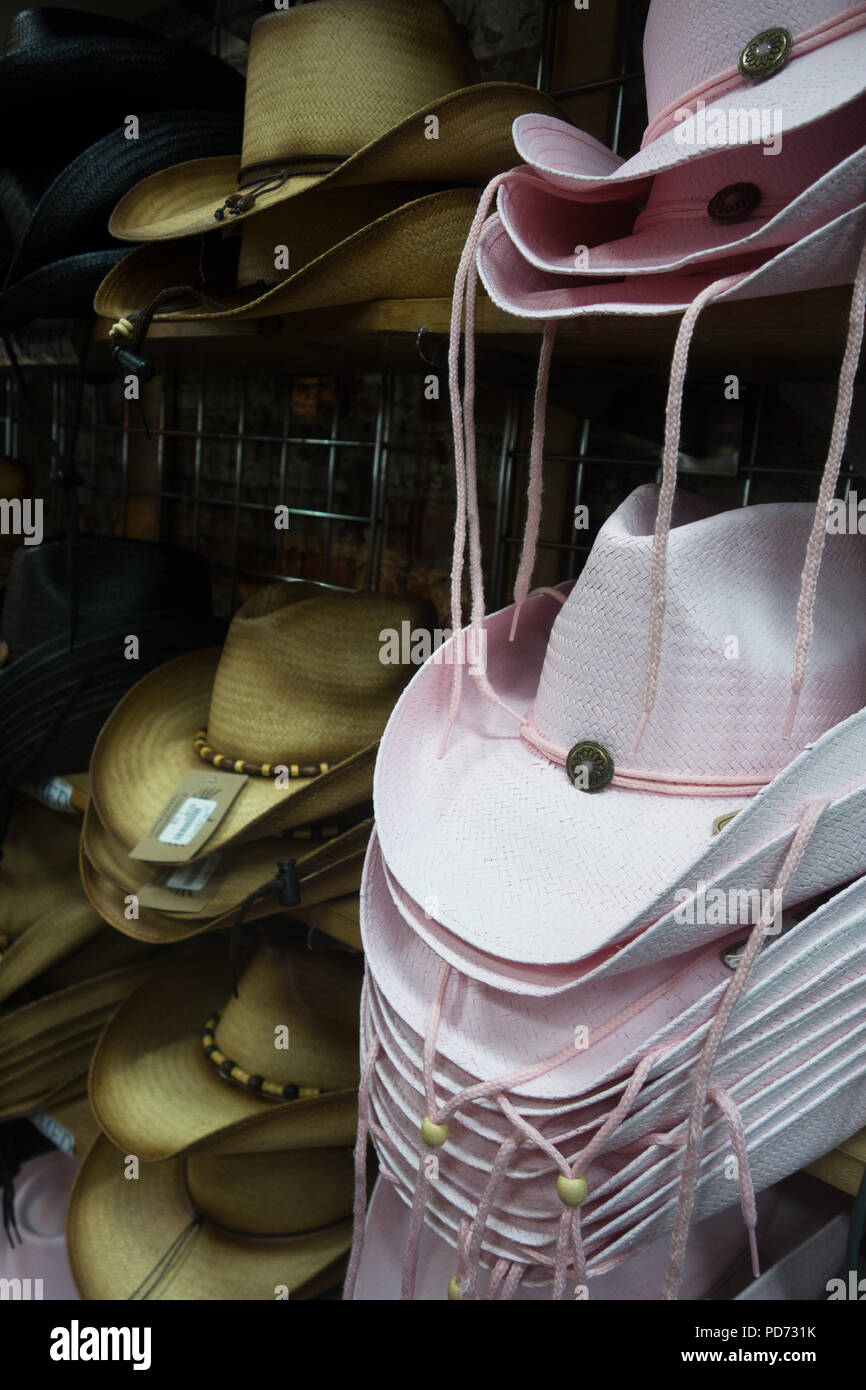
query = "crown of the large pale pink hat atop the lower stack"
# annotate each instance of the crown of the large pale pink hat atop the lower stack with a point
(728, 648)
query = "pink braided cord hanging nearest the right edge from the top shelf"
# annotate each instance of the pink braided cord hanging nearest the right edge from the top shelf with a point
(815, 550)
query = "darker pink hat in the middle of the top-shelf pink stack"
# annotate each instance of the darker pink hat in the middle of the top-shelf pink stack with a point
(819, 174)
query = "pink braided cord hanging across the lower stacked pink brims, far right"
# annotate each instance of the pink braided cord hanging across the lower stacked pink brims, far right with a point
(692, 1161)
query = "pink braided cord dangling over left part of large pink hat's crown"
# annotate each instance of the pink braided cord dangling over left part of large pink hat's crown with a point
(673, 419)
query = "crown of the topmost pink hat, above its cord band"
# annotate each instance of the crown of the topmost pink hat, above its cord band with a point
(689, 42)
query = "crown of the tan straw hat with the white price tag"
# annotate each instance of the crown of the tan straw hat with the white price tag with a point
(301, 679)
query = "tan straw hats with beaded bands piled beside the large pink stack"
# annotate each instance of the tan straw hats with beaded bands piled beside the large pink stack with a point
(231, 1077)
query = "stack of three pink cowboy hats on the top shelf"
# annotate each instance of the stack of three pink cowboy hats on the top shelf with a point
(753, 169)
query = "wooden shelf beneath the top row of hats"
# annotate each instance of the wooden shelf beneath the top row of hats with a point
(789, 337)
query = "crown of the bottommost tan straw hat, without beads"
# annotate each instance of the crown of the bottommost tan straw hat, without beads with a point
(273, 1195)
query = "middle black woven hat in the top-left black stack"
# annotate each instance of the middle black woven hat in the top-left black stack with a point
(65, 250)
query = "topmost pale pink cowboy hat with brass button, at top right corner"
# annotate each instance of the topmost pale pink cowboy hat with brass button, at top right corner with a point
(690, 55)
